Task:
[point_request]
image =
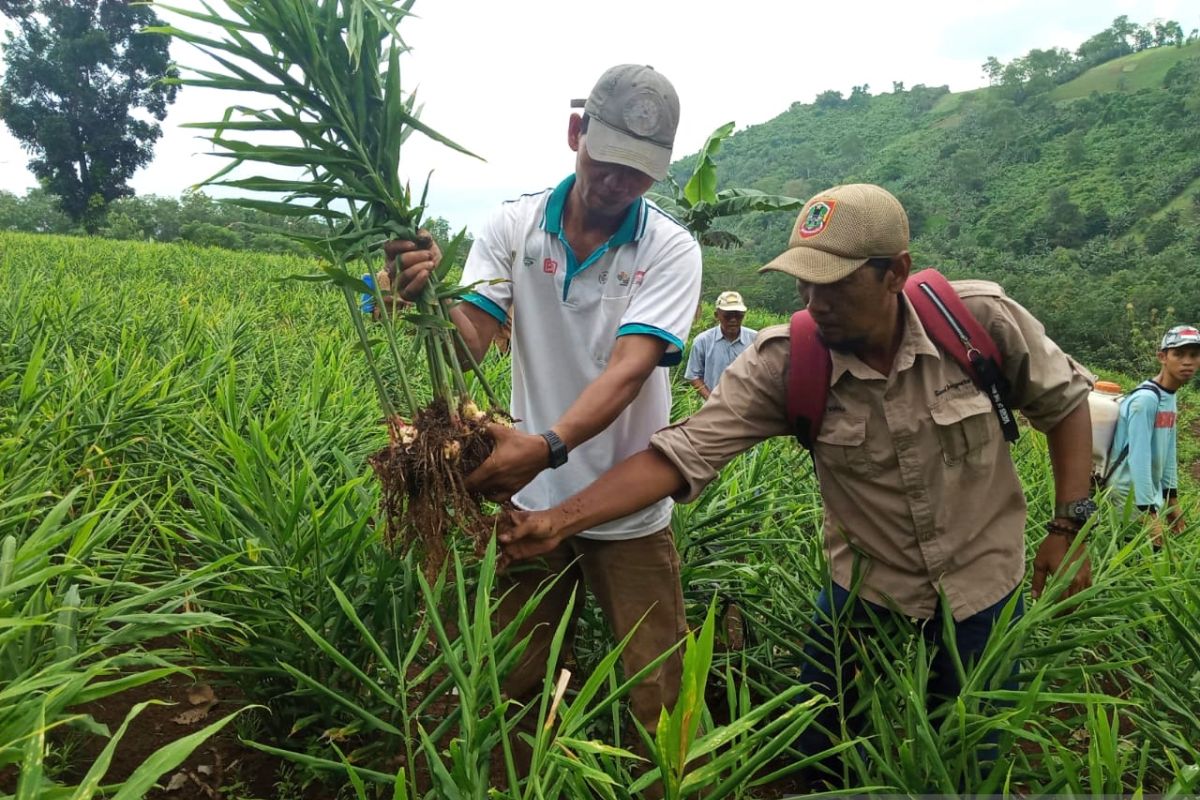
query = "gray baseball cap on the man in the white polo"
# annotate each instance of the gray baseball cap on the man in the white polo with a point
(634, 113)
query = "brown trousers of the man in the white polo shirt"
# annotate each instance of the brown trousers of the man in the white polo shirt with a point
(628, 579)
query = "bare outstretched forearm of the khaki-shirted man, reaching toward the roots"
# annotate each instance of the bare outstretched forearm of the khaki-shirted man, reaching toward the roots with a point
(631, 486)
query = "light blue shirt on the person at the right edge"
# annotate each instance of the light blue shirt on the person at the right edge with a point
(1147, 426)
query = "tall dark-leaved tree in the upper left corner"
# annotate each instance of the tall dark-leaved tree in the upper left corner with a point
(82, 93)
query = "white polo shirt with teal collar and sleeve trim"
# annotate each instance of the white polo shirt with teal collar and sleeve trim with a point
(644, 281)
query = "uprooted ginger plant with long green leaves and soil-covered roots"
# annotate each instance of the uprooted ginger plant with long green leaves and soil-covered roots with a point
(333, 71)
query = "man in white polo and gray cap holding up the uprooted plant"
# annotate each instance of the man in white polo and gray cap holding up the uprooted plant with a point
(607, 285)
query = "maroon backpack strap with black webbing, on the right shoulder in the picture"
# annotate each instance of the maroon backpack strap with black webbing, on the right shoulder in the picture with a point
(957, 333)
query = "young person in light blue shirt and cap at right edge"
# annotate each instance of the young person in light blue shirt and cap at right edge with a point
(1145, 438)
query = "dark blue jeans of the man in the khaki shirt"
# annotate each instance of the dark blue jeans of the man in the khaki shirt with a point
(830, 657)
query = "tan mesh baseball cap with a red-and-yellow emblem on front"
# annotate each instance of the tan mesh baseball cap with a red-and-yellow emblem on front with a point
(839, 230)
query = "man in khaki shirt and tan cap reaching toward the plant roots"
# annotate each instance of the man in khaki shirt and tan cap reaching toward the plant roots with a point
(922, 500)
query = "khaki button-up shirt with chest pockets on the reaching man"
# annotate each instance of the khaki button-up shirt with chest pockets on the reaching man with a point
(915, 472)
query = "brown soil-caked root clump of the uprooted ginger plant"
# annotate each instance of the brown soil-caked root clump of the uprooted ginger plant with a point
(423, 472)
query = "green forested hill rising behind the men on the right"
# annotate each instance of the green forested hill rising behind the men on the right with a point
(1073, 181)
